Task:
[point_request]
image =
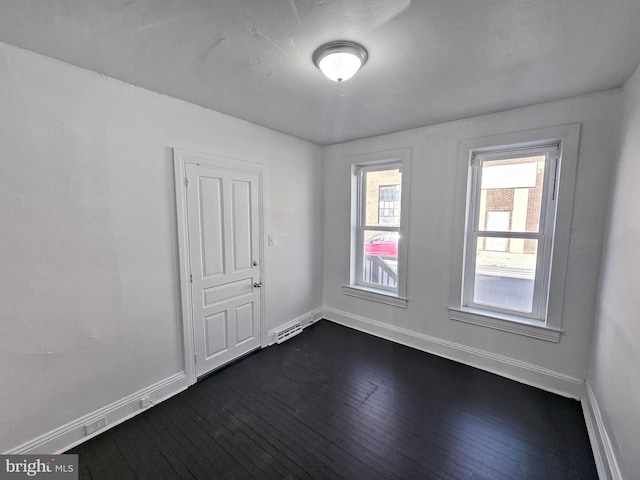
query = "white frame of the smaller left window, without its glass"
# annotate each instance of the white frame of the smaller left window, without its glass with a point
(401, 159)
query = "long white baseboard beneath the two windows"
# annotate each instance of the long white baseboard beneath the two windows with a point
(520, 371)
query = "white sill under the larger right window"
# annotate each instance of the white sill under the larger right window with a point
(506, 323)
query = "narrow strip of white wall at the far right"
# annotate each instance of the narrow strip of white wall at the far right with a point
(614, 373)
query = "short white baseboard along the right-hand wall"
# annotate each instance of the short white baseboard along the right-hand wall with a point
(603, 453)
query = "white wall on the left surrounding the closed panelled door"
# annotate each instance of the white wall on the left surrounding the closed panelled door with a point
(89, 306)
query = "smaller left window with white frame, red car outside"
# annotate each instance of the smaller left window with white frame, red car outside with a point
(378, 261)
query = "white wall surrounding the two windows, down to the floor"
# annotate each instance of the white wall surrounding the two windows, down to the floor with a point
(425, 323)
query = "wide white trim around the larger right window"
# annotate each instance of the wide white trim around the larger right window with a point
(568, 136)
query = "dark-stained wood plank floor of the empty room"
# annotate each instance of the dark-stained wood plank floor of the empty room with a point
(336, 403)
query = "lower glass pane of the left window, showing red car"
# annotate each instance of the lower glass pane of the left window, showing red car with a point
(380, 258)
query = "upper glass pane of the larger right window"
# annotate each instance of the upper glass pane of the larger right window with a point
(511, 194)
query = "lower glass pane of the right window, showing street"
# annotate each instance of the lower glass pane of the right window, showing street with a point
(505, 273)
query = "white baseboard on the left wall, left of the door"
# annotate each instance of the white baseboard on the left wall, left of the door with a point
(68, 436)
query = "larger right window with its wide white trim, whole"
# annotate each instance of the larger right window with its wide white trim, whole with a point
(513, 221)
